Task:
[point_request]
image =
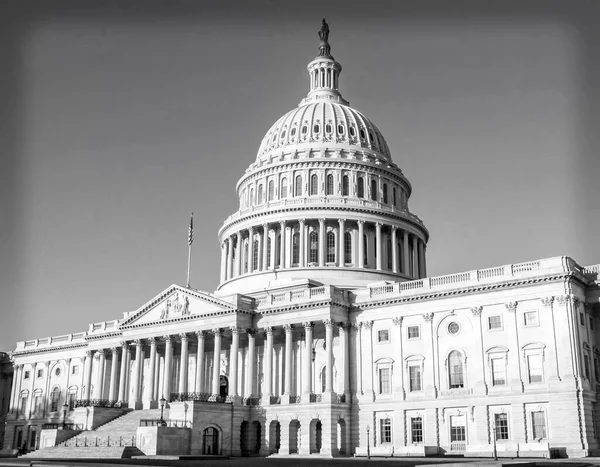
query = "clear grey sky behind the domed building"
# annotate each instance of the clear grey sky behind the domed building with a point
(119, 119)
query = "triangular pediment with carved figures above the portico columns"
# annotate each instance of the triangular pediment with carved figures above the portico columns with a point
(174, 304)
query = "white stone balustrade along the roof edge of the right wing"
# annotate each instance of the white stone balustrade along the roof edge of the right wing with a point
(478, 276)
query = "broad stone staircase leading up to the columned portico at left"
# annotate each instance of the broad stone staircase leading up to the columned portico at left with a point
(115, 439)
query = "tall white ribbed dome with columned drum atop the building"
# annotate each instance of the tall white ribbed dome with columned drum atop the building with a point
(323, 201)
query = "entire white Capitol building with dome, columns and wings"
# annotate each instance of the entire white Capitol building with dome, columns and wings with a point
(325, 335)
